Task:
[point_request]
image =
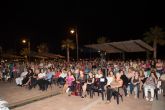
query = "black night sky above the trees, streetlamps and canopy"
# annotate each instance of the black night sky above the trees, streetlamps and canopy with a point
(49, 21)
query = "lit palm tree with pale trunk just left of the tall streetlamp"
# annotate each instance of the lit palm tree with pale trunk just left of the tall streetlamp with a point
(67, 44)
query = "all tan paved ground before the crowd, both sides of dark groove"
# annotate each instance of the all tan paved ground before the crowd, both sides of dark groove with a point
(14, 95)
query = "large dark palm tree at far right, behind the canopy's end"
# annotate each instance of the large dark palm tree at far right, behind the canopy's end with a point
(155, 36)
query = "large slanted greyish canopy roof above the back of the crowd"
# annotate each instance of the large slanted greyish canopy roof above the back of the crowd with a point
(123, 46)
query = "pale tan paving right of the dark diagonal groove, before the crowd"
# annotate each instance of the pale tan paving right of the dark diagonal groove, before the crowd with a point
(63, 102)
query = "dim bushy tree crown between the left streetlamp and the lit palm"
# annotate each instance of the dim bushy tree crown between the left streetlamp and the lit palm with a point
(43, 48)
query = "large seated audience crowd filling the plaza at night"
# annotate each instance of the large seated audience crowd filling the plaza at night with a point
(84, 78)
